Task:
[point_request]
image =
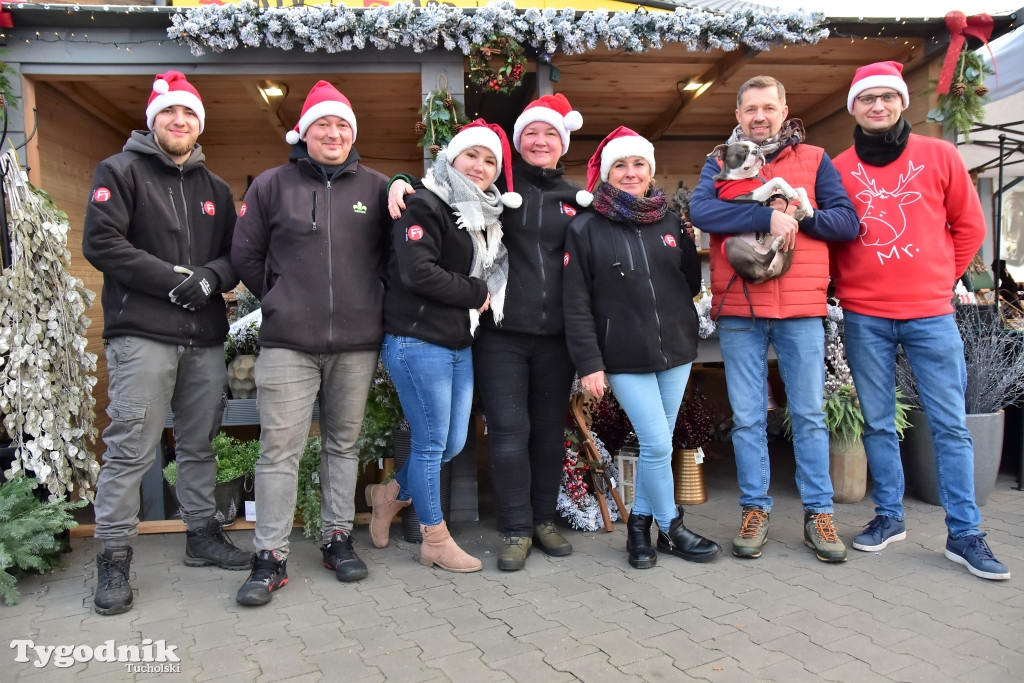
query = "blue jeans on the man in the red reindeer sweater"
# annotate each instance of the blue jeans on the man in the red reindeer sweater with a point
(935, 351)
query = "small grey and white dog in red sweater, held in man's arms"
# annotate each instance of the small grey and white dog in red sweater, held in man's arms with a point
(751, 258)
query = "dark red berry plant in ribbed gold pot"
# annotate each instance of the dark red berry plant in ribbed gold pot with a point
(695, 430)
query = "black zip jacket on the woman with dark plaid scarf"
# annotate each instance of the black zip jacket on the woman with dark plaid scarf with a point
(629, 295)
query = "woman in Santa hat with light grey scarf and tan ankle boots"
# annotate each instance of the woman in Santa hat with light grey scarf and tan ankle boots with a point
(447, 266)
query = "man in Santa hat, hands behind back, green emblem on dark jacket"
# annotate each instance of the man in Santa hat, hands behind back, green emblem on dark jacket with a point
(310, 244)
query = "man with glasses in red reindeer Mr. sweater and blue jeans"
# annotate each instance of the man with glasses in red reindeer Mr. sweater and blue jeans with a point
(921, 224)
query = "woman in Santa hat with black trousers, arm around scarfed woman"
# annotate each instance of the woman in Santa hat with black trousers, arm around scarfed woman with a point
(523, 366)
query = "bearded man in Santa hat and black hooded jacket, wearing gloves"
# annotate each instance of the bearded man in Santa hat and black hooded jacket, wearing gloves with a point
(159, 228)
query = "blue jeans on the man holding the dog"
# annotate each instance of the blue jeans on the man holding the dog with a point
(800, 347)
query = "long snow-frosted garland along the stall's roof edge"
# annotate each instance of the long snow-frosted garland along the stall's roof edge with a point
(338, 29)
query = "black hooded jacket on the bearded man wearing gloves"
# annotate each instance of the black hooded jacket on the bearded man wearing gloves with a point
(146, 216)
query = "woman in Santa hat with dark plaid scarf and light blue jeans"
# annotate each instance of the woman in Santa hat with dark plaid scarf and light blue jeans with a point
(630, 278)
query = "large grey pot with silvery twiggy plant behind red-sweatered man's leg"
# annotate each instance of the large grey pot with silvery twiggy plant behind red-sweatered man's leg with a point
(995, 358)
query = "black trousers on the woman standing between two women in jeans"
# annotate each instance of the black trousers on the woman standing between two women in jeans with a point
(524, 383)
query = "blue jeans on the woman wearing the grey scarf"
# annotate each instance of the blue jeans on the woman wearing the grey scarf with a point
(436, 388)
